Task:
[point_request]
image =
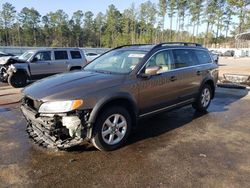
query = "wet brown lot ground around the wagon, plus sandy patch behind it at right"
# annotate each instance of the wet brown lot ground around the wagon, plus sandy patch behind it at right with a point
(175, 149)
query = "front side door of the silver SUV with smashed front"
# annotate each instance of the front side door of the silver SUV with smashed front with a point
(40, 64)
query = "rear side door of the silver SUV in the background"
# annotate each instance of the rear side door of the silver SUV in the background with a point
(61, 61)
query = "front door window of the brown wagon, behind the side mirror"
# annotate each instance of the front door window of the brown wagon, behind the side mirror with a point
(162, 60)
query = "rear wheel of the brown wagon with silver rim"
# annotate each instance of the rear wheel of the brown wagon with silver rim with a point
(204, 99)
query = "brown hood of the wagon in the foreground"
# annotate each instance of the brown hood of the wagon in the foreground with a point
(71, 85)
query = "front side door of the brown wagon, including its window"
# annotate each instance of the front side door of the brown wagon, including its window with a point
(158, 91)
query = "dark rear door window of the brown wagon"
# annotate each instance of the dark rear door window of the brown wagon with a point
(184, 58)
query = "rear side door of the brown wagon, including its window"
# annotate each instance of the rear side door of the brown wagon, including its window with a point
(186, 64)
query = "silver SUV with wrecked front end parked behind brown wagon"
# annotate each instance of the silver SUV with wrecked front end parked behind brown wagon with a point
(37, 64)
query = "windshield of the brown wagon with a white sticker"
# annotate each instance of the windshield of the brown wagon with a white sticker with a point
(117, 61)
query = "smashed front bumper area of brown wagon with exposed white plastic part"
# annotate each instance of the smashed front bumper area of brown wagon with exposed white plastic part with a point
(56, 131)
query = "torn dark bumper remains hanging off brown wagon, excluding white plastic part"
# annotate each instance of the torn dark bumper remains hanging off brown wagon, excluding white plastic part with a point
(49, 131)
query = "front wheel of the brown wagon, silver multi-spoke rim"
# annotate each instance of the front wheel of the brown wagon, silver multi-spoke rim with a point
(111, 129)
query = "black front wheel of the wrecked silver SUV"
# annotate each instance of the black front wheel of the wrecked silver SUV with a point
(17, 79)
